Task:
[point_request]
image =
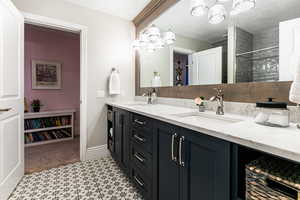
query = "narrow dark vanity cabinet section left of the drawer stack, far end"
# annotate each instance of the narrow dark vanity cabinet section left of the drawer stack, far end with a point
(121, 137)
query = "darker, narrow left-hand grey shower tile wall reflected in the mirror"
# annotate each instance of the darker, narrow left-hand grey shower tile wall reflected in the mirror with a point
(244, 43)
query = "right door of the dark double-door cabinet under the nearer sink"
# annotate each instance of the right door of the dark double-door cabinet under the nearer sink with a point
(206, 173)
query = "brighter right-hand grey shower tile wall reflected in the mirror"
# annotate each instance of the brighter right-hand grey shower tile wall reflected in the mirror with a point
(266, 63)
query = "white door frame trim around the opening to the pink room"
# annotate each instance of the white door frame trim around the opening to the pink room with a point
(83, 30)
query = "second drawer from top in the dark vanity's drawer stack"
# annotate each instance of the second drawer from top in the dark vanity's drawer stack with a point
(142, 138)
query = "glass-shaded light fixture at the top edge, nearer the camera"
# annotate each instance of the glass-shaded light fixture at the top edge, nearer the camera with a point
(217, 12)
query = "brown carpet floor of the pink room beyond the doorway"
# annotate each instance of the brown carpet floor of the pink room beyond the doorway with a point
(38, 158)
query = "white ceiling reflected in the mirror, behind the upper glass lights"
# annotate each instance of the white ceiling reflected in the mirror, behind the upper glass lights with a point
(268, 13)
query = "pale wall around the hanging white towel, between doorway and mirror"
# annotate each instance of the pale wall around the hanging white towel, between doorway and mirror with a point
(109, 42)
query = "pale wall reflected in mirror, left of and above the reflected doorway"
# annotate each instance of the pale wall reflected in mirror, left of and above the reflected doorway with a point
(160, 60)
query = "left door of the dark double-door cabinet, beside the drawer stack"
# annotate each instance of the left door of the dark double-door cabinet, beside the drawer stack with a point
(168, 169)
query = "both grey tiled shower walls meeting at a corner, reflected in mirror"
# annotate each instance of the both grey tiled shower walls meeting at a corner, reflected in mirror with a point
(262, 65)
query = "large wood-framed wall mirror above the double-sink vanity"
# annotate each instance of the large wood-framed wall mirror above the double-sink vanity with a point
(249, 46)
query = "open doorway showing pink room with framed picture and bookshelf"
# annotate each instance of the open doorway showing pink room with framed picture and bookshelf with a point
(52, 97)
